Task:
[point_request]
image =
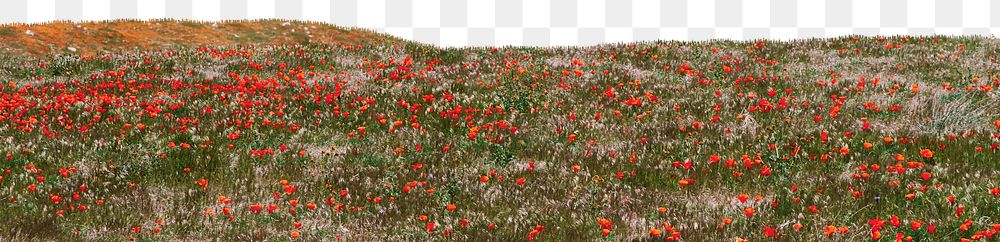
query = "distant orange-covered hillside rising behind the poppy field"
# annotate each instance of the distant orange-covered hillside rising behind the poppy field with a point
(93, 37)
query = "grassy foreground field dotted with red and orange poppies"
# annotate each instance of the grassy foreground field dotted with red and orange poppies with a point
(853, 138)
